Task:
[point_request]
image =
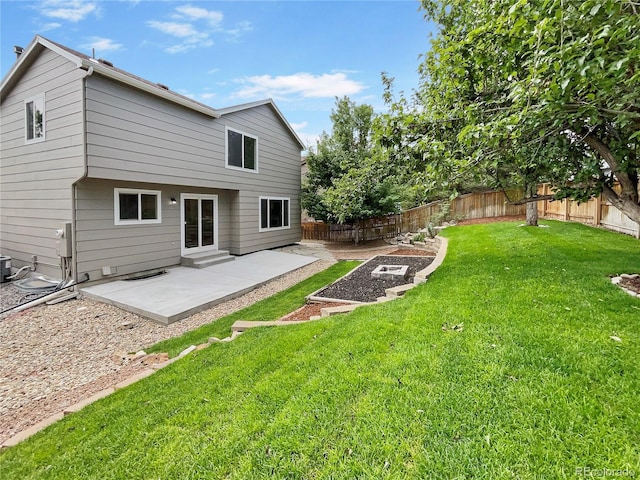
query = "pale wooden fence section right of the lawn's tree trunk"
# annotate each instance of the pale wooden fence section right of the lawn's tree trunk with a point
(597, 211)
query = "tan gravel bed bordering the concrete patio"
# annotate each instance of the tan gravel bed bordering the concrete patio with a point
(53, 356)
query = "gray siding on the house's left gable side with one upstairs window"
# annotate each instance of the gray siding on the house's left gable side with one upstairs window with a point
(35, 189)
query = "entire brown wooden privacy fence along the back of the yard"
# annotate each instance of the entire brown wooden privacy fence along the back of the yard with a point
(596, 212)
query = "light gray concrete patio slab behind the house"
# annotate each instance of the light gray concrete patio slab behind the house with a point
(184, 291)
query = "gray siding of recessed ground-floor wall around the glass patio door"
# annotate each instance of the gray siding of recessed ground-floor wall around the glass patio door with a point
(134, 248)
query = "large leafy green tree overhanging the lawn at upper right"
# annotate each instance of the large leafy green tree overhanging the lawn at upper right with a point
(544, 90)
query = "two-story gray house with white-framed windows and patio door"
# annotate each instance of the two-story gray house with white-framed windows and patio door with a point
(109, 174)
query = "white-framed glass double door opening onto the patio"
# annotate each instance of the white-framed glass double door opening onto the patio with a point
(199, 222)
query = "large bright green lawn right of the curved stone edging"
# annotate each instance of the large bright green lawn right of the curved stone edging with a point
(532, 387)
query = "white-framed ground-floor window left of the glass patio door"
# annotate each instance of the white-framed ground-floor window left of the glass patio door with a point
(136, 206)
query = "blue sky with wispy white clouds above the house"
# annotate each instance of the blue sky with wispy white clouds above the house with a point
(300, 53)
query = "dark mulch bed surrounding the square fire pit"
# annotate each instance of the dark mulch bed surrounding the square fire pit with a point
(358, 286)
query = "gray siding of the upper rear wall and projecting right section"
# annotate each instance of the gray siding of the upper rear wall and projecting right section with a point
(133, 136)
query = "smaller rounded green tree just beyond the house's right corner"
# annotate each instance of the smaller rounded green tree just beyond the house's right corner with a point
(346, 182)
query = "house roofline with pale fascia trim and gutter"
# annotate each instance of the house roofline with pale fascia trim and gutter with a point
(94, 66)
